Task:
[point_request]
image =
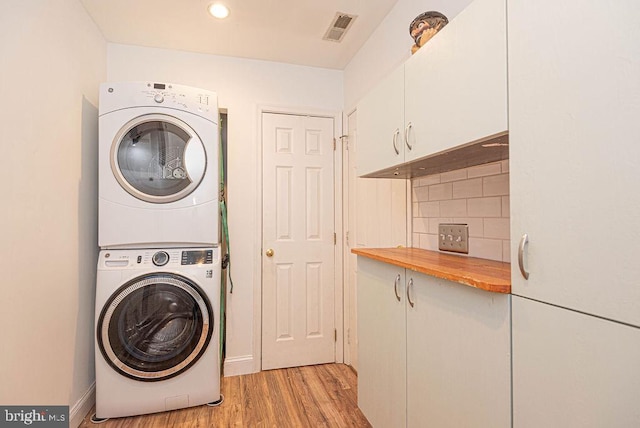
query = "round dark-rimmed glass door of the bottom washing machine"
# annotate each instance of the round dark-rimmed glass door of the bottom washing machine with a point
(155, 327)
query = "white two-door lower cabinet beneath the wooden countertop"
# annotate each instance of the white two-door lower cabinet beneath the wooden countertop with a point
(431, 352)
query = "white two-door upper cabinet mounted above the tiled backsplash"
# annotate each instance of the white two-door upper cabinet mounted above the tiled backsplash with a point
(452, 92)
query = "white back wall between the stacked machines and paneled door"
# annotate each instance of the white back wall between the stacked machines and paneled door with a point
(243, 86)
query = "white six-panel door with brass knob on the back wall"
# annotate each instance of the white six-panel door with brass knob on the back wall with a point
(298, 242)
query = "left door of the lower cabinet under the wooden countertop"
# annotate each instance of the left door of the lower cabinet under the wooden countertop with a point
(381, 343)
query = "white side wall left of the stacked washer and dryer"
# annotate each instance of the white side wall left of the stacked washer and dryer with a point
(53, 58)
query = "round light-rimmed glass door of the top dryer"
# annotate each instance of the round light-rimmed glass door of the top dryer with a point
(158, 158)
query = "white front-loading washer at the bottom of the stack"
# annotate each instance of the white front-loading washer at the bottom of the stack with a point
(157, 330)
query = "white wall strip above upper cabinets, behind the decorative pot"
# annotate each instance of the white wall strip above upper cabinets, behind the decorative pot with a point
(389, 46)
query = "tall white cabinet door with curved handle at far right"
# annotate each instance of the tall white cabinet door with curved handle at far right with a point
(574, 105)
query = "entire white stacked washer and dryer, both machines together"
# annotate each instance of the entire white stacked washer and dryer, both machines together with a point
(159, 275)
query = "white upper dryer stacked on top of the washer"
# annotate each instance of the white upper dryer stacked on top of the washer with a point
(158, 166)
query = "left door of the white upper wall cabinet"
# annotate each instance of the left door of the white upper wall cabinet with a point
(380, 125)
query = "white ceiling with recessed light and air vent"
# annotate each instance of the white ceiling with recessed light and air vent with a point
(289, 31)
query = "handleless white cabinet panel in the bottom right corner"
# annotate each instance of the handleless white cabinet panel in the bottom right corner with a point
(572, 369)
